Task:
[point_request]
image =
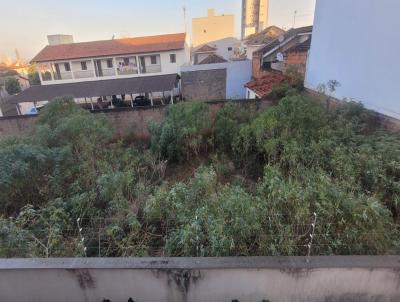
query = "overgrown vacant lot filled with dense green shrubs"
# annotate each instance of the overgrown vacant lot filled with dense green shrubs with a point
(252, 181)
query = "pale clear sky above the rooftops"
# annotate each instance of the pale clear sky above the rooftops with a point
(24, 24)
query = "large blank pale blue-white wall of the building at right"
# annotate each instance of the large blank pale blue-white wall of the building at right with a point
(356, 43)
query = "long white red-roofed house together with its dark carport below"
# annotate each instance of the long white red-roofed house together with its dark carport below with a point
(103, 69)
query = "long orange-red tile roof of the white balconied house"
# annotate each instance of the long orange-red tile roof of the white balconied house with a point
(111, 47)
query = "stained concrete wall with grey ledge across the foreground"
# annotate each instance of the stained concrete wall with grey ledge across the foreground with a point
(283, 279)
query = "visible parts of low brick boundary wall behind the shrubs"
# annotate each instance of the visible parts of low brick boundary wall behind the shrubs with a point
(126, 121)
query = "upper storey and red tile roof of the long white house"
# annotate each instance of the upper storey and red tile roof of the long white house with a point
(112, 59)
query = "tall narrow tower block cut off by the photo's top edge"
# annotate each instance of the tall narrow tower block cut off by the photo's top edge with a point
(254, 16)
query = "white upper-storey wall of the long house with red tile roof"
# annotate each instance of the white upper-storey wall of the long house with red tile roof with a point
(163, 59)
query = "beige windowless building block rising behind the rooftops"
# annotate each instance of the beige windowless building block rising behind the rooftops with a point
(212, 28)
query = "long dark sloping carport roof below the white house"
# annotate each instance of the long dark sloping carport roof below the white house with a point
(98, 88)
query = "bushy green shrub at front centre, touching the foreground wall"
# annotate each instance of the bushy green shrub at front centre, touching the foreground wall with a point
(204, 219)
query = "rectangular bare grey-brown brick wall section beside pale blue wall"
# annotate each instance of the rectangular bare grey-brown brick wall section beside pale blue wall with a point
(204, 84)
